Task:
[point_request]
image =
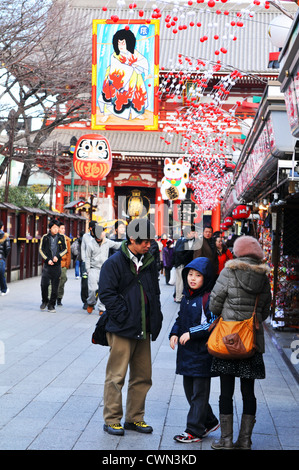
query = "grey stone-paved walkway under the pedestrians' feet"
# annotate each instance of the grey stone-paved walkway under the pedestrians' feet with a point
(52, 382)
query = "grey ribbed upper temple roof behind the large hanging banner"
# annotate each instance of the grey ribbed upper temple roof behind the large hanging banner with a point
(249, 53)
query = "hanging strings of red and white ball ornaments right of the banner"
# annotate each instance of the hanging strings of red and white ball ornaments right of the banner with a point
(201, 120)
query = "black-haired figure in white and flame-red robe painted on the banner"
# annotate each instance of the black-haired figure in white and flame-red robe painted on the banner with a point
(124, 93)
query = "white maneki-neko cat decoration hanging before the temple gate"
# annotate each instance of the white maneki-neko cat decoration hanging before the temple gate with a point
(176, 175)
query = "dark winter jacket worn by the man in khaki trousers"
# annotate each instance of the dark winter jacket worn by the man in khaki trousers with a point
(127, 307)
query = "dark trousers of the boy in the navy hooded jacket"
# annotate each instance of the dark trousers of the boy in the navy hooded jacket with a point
(200, 416)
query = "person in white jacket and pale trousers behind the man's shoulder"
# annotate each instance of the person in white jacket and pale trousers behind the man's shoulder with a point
(97, 252)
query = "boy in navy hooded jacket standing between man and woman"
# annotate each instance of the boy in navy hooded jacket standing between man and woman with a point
(190, 333)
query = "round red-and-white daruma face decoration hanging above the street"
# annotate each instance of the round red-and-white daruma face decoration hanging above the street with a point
(92, 157)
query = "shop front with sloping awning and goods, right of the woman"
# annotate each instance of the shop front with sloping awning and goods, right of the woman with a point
(264, 181)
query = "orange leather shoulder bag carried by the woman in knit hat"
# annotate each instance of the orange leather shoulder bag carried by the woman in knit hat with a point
(233, 339)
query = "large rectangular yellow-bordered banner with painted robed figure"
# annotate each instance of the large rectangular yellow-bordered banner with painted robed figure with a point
(125, 75)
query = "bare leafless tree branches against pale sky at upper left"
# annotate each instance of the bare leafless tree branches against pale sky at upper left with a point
(41, 77)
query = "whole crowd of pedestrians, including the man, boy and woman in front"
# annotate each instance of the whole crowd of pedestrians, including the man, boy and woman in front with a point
(120, 272)
